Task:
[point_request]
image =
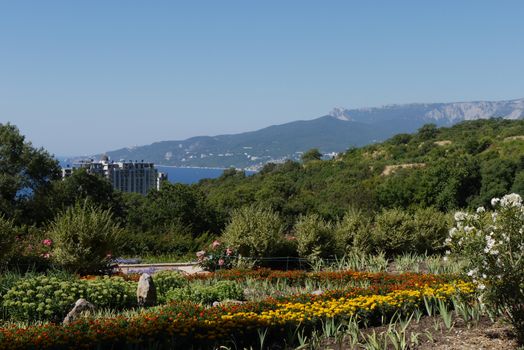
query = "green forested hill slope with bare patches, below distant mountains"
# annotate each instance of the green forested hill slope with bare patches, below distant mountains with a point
(448, 168)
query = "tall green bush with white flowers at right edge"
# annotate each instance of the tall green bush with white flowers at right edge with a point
(493, 243)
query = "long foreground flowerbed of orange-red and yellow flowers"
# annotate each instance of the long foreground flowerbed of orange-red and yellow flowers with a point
(185, 325)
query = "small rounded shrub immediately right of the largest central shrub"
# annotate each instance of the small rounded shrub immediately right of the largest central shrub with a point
(315, 238)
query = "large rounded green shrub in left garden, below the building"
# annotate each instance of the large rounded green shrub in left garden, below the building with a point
(85, 238)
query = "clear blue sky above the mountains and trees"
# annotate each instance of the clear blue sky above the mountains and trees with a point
(81, 77)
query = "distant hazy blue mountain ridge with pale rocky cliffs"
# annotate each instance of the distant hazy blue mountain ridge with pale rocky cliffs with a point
(339, 130)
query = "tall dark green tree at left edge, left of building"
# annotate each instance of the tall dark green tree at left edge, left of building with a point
(25, 172)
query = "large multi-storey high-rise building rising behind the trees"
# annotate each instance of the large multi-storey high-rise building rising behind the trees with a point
(139, 177)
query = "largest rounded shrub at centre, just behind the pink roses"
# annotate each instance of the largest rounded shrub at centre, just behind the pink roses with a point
(254, 231)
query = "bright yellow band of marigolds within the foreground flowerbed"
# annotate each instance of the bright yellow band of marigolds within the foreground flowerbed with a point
(297, 312)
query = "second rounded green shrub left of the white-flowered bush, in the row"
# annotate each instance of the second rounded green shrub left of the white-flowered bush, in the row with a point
(393, 232)
